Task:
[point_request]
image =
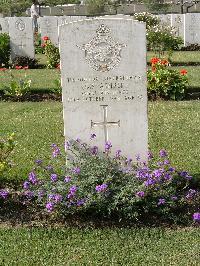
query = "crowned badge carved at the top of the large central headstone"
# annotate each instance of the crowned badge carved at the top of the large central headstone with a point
(102, 53)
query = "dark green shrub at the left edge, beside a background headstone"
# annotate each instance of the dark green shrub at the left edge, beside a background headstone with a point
(4, 49)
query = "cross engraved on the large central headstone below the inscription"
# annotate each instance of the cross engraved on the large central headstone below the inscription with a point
(105, 123)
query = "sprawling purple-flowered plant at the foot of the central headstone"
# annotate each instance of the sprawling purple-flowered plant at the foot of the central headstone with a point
(94, 182)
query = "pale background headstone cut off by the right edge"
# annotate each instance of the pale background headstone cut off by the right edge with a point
(192, 28)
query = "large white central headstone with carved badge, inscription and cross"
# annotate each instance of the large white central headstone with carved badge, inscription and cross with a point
(103, 72)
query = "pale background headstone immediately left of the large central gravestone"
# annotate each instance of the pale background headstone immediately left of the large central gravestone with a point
(49, 27)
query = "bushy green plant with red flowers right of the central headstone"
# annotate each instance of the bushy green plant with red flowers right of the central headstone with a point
(166, 82)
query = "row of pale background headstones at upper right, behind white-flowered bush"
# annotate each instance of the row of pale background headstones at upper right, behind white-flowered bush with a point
(186, 26)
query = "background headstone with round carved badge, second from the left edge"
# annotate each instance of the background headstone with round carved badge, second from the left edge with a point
(21, 37)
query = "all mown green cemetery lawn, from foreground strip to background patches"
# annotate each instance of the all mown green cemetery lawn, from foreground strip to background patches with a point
(173, 126)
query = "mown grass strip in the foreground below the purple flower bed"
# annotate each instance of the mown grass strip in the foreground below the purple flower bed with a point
(68, 247)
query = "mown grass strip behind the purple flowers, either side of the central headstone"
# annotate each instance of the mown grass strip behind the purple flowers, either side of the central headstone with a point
(172, 125)
